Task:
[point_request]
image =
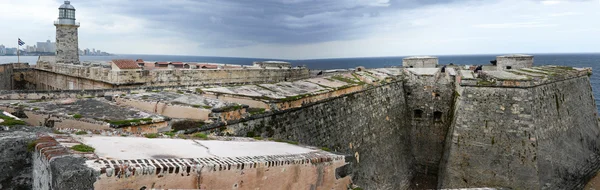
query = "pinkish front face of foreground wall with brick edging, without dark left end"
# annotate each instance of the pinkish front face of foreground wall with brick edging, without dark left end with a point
(306, 171)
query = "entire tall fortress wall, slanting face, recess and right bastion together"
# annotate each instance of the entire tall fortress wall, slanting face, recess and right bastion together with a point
(505, 133)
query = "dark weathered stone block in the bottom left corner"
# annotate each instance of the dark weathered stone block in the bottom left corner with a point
(15, 158)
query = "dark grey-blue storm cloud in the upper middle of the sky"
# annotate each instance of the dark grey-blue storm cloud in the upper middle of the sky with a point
(235, 23)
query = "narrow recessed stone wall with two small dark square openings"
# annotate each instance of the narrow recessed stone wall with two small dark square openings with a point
(429, 103)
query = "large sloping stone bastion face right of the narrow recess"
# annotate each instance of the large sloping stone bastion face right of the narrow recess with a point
(544, 137)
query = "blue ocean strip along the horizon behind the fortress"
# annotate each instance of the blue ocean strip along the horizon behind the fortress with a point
(575, 60)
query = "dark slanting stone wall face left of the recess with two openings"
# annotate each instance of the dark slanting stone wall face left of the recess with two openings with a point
(366, 125)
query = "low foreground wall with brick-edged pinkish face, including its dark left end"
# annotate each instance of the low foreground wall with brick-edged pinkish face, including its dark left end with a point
(58, 167)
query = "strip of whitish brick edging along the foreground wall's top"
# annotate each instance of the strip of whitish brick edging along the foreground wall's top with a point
(193, 166)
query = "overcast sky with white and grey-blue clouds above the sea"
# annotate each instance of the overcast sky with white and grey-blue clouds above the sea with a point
(304, 29)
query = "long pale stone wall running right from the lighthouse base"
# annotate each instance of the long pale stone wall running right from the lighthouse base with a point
(49, 75)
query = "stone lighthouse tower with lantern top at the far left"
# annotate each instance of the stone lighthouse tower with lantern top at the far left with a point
(67, 43)
